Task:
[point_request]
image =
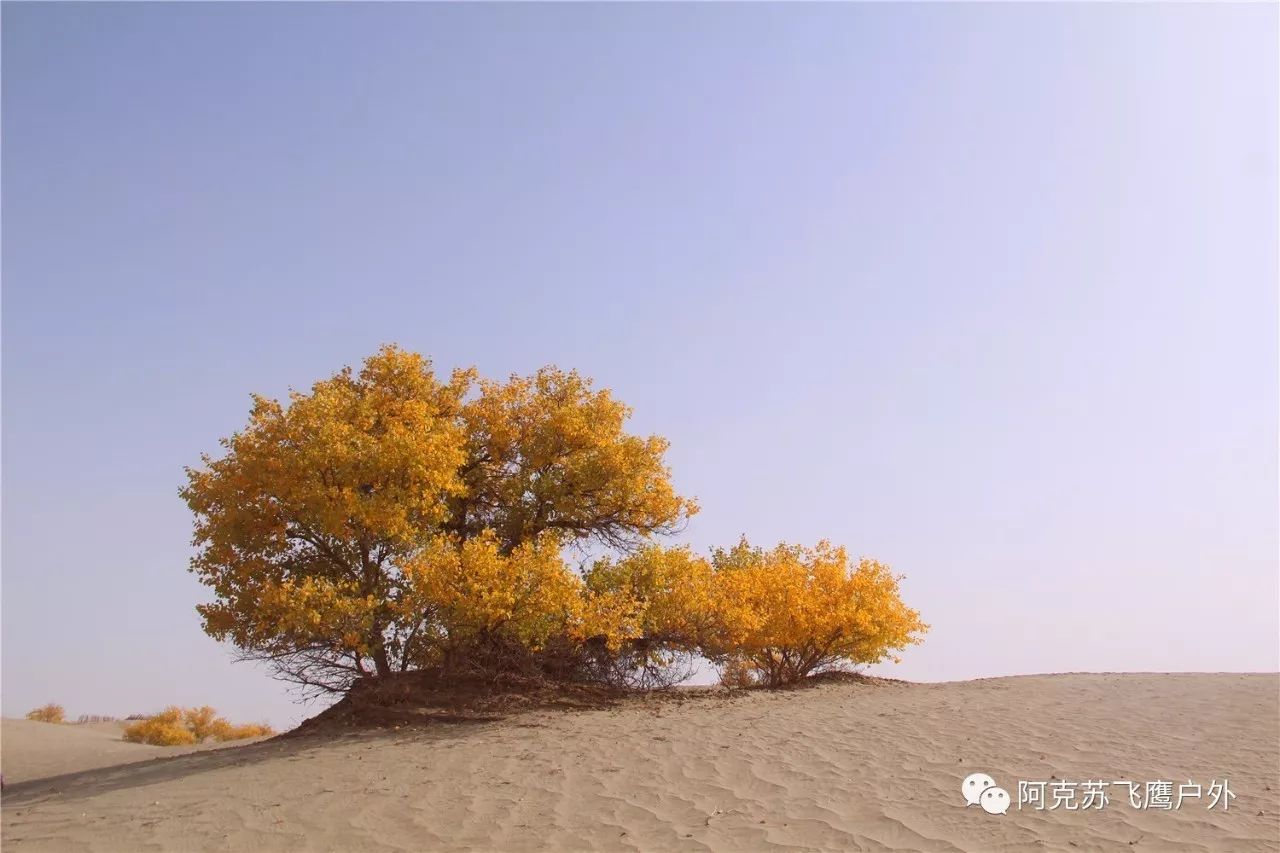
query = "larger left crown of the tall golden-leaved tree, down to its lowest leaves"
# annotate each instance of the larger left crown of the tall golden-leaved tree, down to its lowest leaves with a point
(313, 500)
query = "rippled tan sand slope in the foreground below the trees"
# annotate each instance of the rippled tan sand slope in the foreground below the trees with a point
(847, 767)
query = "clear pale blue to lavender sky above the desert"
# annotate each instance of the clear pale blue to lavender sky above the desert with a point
(986, 293)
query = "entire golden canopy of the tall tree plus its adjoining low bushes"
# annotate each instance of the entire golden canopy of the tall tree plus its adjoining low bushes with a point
(390, 521)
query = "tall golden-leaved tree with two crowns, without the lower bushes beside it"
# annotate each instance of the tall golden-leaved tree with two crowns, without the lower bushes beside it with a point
(326, 528)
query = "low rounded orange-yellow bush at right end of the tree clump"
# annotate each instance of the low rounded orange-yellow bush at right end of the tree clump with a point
(793, 612)
